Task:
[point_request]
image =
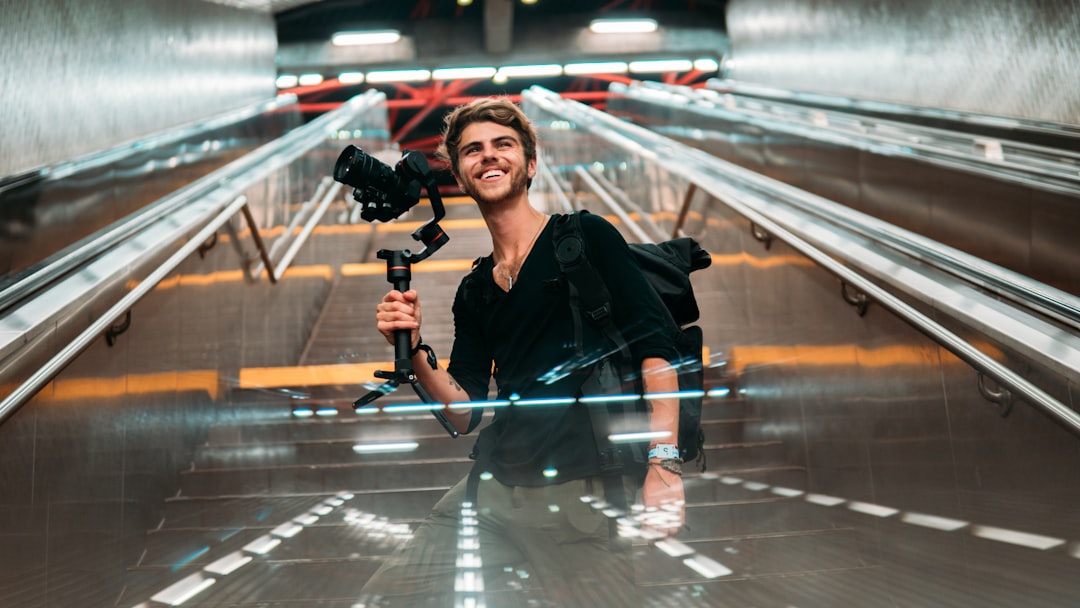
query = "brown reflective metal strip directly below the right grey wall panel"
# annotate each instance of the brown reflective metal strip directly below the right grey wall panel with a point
(934, 188)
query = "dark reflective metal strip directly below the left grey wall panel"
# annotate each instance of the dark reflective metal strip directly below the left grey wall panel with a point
(46, 214)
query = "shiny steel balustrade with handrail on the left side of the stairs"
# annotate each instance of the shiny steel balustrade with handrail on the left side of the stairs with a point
(191, 217)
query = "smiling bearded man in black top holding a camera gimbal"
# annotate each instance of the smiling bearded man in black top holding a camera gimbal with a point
(539, 543)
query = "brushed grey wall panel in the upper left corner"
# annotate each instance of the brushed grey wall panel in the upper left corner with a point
(80, 77)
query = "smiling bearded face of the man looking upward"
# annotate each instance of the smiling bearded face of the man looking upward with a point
(492, 165)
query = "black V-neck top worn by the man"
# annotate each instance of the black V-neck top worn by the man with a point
(526, 337)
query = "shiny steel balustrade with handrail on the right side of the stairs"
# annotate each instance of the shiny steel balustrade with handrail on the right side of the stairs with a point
(881, 271)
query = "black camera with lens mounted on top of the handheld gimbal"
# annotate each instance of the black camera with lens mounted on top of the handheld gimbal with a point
(384, 194)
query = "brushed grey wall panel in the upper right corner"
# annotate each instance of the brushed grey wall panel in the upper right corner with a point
(991, 57)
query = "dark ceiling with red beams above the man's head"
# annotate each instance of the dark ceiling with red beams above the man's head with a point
(493, 33)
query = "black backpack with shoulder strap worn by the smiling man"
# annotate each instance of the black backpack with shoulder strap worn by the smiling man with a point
(668, 267)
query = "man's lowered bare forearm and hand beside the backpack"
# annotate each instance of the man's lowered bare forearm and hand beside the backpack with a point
(663, 494)
